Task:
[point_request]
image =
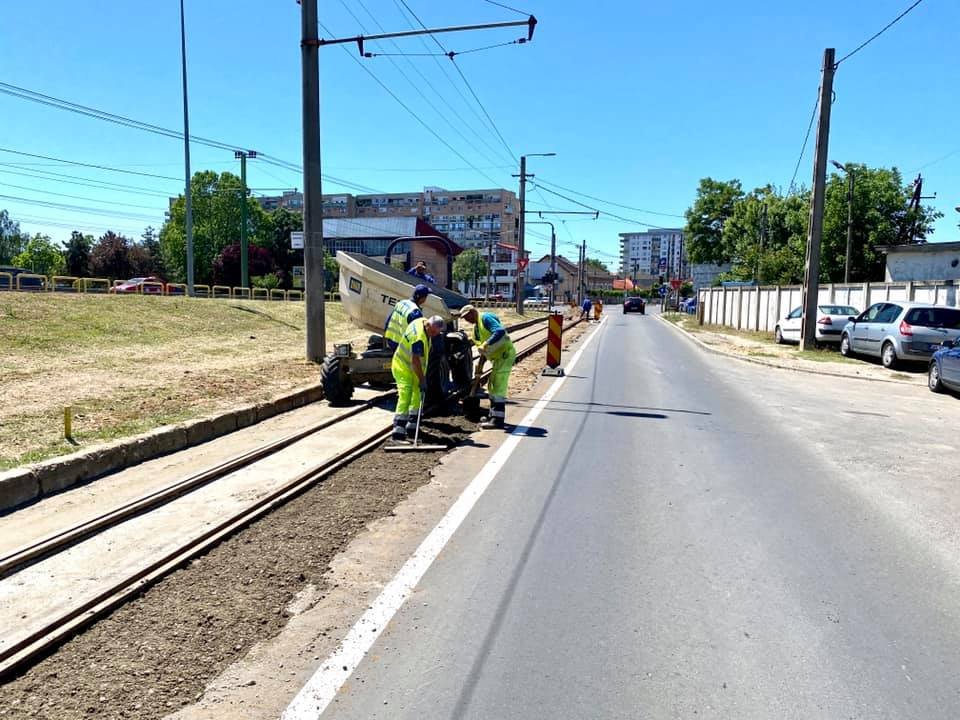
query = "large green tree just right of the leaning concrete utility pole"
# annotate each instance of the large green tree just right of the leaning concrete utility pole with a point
(880, 217)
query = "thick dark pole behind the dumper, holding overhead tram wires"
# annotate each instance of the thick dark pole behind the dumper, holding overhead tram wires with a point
(312, 190)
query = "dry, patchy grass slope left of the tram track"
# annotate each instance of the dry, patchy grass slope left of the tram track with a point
(130, 364)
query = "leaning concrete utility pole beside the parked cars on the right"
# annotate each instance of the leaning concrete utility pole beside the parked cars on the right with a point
(811, 277)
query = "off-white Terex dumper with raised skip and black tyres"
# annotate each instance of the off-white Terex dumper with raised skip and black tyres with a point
(369, 289)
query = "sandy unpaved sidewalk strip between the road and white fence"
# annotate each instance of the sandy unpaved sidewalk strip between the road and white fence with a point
(760, 348)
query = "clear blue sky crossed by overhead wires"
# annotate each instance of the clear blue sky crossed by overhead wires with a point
(638, 99)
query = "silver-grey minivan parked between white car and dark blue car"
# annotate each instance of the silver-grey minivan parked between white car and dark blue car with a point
(895, 331)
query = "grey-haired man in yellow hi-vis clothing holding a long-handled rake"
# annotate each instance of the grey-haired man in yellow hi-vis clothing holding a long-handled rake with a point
(409, 368)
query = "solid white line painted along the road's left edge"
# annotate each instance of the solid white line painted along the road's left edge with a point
(323, 686)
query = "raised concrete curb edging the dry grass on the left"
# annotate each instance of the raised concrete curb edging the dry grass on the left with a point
(26, 484)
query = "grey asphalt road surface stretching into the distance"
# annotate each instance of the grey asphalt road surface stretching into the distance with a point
(682, 538)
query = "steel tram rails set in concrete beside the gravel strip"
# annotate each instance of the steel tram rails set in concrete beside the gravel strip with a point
(45, 639)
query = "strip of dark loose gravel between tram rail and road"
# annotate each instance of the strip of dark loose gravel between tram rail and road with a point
(157, 653)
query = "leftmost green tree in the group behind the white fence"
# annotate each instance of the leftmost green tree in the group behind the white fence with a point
(706, 219)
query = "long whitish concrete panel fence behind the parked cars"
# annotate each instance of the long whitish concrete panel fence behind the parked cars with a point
(759, 308)
